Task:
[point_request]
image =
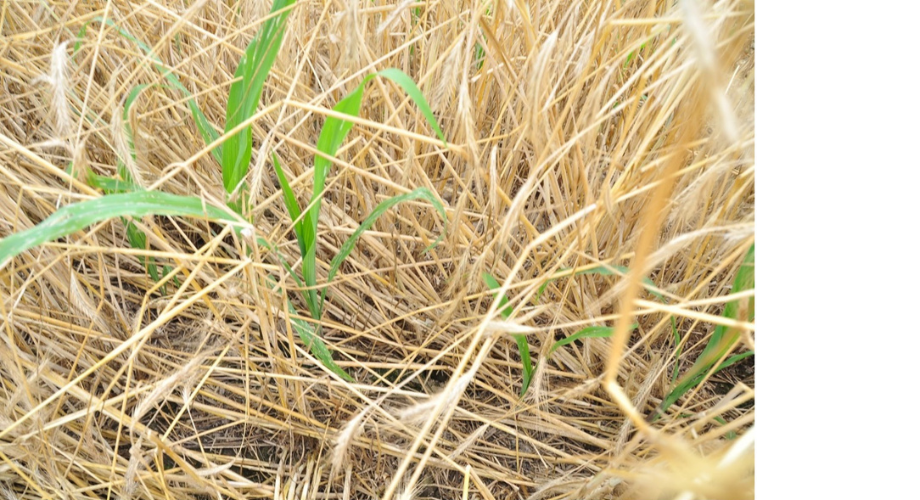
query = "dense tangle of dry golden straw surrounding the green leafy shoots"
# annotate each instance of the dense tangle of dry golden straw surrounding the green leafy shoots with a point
(598, 163)
